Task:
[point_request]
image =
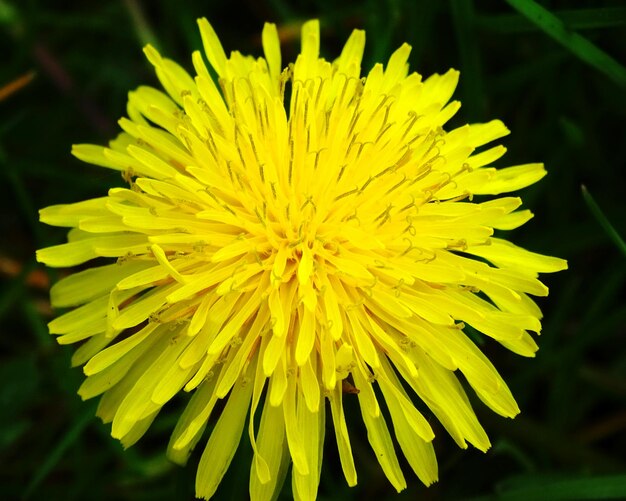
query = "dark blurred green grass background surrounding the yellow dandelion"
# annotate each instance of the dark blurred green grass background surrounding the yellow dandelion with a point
(72, 66)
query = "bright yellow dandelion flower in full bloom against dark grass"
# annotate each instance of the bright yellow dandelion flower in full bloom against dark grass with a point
(291, 236)
